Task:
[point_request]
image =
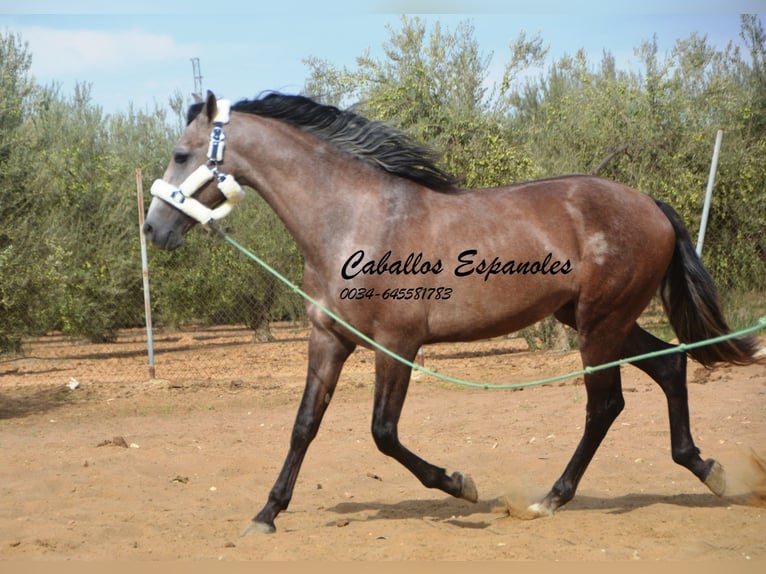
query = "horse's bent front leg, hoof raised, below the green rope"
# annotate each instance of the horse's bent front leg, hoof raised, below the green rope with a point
(391, 383)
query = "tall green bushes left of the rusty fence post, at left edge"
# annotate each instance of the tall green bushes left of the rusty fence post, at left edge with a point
(69, 256)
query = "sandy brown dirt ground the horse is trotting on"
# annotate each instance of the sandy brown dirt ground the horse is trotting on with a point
(174, 468)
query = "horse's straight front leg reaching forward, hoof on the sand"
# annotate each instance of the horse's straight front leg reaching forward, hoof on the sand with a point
(327, 353)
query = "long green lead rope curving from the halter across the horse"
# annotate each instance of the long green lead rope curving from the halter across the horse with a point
(681, 348)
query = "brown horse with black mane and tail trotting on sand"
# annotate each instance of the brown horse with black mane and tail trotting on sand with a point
(397, 248)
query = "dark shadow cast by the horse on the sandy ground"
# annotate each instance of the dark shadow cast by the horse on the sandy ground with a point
(485, 512)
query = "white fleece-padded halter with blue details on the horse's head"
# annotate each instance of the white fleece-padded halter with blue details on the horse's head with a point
(180, 197)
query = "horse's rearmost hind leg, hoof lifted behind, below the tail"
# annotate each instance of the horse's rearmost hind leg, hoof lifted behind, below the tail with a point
(669, 371)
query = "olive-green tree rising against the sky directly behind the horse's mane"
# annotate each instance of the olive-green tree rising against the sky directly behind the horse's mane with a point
(433, 86)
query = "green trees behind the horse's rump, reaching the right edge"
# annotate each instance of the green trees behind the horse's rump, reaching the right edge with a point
(655, 130)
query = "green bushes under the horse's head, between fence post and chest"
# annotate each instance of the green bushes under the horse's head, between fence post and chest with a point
(207, 282)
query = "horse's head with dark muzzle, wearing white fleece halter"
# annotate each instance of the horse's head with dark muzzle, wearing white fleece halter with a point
(193, 189)
